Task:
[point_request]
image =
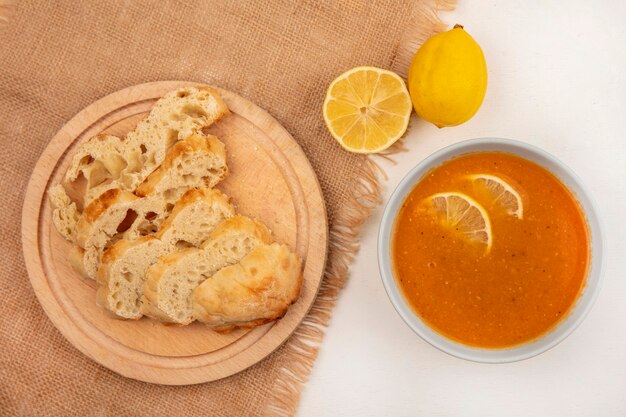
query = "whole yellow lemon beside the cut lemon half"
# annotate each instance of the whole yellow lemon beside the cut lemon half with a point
(448, 78)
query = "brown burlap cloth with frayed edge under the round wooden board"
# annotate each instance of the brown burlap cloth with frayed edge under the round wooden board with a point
(58, 57)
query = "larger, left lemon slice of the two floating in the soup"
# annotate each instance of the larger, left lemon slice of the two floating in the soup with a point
(463, 213)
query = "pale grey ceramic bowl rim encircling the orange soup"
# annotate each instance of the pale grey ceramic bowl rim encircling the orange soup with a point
(524, 351)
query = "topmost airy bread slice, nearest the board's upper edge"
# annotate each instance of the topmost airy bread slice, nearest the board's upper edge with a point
(109, 162)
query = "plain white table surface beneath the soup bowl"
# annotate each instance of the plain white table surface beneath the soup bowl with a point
(557, 79)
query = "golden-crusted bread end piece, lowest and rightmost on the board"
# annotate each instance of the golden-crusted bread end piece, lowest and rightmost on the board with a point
(252, 292)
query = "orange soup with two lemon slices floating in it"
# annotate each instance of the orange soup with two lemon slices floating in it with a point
(490, 249)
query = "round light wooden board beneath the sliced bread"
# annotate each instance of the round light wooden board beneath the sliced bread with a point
(270, 179)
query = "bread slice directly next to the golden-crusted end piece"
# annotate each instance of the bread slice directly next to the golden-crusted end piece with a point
(171, 281)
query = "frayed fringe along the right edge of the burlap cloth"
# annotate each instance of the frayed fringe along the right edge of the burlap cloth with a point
(303, 346)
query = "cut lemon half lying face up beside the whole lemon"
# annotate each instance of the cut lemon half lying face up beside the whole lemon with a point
(367, 109)
